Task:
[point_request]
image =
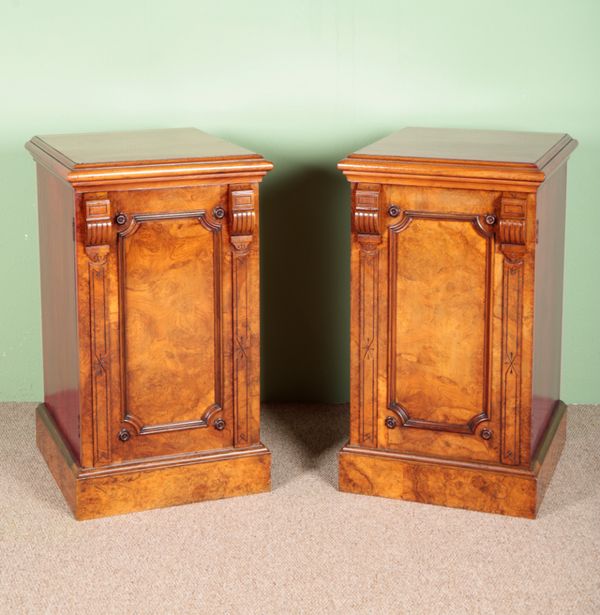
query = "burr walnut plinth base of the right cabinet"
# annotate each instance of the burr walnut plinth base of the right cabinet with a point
(488, 488)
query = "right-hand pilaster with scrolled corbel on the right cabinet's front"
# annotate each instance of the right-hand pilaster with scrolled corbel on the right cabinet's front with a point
(512, 239)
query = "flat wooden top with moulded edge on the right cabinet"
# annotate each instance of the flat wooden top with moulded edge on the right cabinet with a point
(468, 154)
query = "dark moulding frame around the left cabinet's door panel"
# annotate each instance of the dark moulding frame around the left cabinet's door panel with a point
(134, 223)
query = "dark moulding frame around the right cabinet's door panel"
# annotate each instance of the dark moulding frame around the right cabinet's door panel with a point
(482, 225)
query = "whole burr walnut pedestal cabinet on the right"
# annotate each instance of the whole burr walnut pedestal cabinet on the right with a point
(457, 268)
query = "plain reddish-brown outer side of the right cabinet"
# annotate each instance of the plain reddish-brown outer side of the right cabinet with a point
(549, 266)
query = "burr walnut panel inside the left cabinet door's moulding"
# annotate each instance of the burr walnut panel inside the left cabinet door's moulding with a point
(170, 322)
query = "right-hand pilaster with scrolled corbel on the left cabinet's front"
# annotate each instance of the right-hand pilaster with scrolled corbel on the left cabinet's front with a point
(242, 220)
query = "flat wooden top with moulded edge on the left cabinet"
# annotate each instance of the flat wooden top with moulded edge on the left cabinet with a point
(141, 154)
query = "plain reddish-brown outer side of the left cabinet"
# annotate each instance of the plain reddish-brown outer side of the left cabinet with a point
(59, 304)
